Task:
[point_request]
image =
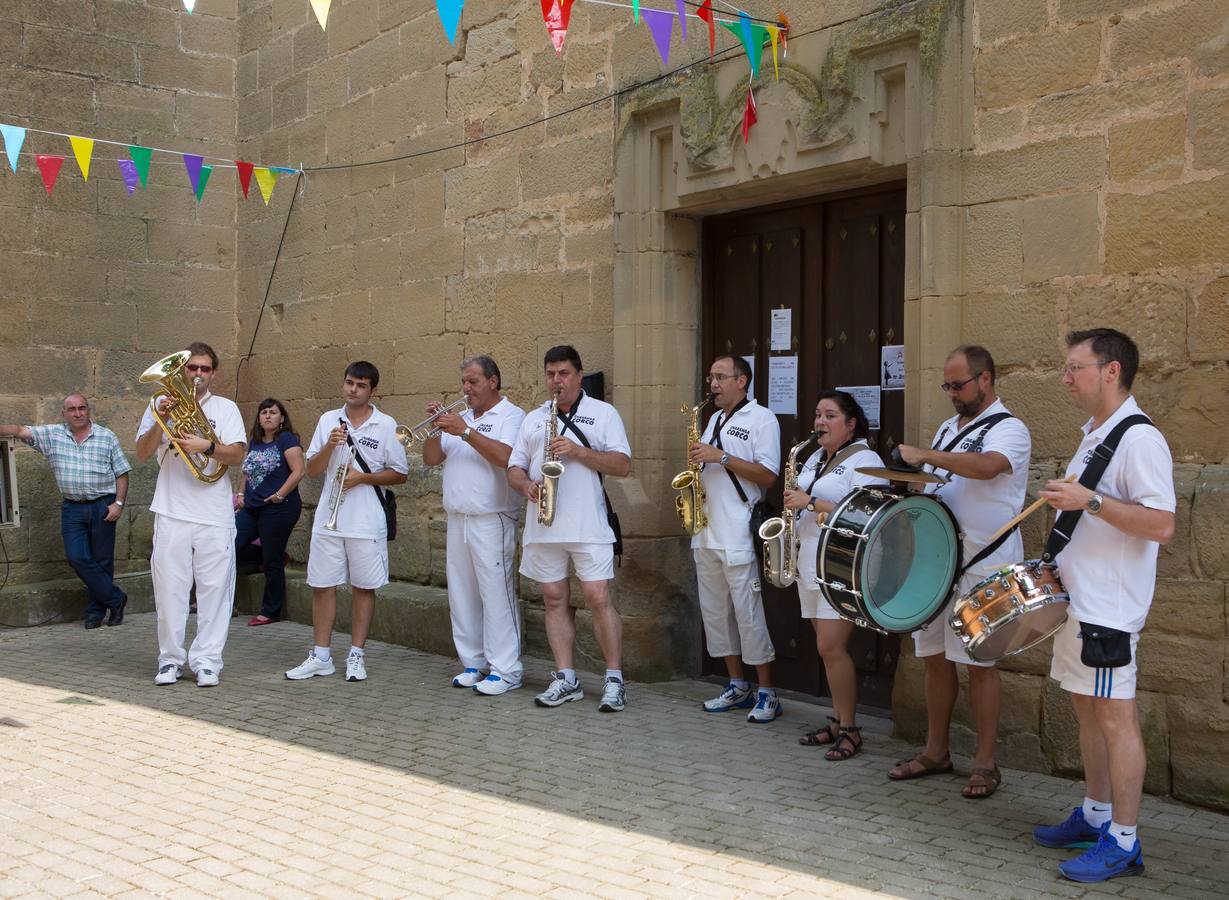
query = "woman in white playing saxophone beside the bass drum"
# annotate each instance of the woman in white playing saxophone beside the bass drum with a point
(825, 479)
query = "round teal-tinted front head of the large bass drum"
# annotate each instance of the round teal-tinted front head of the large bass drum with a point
(910, 564)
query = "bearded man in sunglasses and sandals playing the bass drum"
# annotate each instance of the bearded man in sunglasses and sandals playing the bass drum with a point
(985, 451)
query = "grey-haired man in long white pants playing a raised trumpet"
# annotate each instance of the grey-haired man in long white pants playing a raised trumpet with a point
(475, 446)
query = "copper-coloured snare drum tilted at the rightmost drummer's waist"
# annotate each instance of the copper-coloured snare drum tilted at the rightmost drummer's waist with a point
(1011, 612)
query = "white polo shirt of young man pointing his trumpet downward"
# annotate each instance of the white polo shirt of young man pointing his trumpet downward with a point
(361, 515)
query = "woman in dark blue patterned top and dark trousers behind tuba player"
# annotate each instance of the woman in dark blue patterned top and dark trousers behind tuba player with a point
(271, 506)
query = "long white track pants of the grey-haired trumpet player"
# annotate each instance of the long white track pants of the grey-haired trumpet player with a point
(482, 593)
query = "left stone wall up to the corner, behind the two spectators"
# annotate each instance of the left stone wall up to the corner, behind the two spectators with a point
(96, 285)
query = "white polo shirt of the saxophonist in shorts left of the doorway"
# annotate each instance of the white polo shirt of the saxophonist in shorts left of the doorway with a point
(581, 511)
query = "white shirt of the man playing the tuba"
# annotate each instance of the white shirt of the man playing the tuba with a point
(179, 495)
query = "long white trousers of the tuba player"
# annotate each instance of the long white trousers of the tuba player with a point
(187, 553)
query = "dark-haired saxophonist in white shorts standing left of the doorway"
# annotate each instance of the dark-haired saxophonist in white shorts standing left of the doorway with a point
(591, 442)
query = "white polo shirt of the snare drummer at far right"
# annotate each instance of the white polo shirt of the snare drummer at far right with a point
(1109, 574)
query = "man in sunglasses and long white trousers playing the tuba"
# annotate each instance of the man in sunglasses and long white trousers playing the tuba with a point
(194, 524)
